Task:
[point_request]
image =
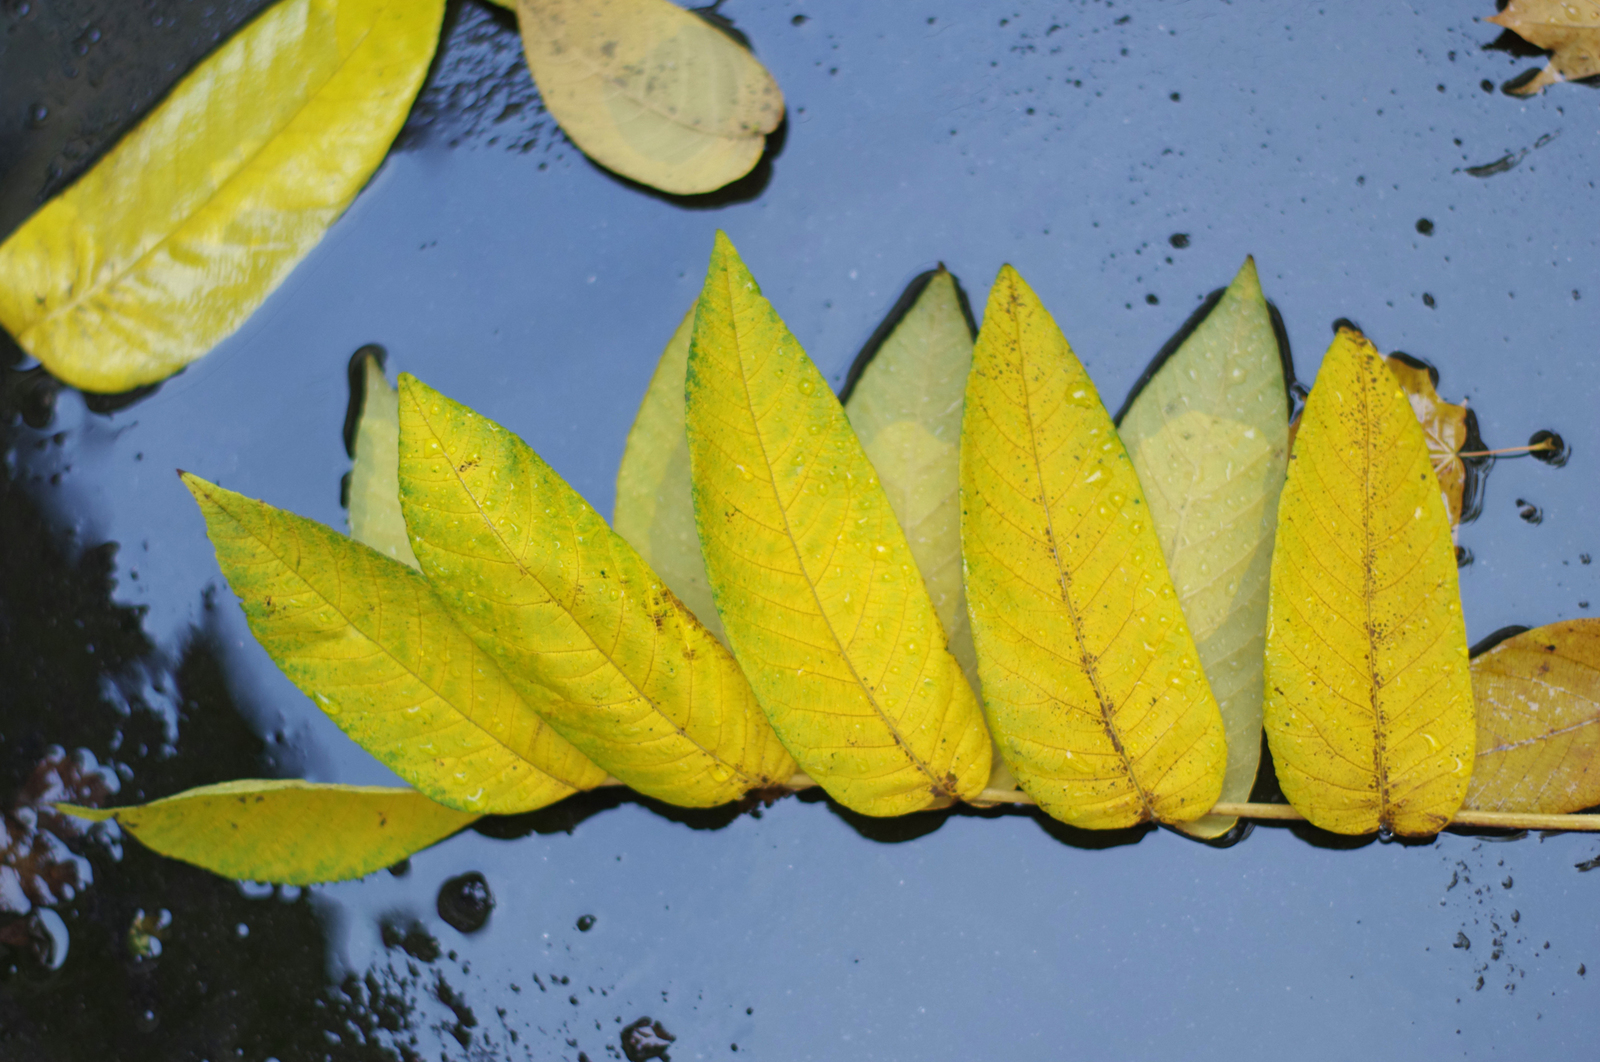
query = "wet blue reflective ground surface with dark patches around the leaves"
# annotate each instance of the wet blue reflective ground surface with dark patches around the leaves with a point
(1126, 159)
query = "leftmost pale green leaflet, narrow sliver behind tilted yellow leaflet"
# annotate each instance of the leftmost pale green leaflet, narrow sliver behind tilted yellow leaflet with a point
(375, 476)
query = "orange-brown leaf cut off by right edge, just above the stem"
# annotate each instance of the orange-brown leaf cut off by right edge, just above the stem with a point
(1538, 722)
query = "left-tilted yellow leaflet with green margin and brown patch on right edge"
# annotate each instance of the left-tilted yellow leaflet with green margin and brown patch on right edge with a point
(572, 613)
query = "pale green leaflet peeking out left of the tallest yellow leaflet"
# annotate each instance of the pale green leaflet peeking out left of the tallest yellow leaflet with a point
(655, 509)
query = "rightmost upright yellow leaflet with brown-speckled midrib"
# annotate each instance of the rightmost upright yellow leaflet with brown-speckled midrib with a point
(1369, 698)
